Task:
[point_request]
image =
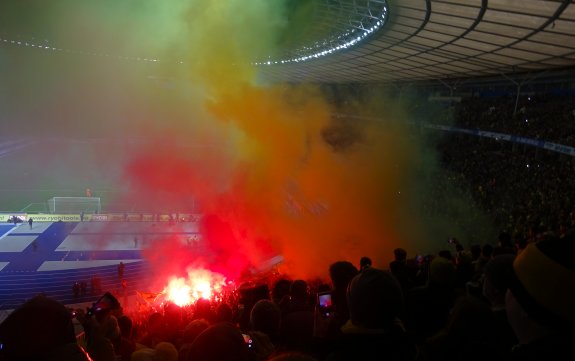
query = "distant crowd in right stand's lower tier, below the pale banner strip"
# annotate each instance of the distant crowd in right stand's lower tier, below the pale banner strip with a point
(526, 191)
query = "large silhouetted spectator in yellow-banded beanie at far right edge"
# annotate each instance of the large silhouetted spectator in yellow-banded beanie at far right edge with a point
(540, 300)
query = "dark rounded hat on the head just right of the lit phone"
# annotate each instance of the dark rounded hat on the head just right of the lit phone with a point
(374, 298)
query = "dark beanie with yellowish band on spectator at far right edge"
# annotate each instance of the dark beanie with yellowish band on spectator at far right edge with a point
(544, 279)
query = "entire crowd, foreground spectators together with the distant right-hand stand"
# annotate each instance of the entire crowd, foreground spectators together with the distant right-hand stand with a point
(510, 299)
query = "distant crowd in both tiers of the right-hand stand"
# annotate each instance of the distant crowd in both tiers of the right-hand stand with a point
(526, 190)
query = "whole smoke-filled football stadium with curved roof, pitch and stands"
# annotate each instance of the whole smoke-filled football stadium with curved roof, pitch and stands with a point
(205, 153)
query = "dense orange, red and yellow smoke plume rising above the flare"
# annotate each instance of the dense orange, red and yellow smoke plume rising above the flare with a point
(273, 171)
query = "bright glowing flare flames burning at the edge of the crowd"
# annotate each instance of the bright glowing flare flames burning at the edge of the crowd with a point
(201, 283)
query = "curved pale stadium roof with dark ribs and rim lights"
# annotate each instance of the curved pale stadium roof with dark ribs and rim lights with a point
(436, 39)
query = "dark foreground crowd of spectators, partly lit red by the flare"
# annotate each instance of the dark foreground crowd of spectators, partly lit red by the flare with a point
(496, 302)
